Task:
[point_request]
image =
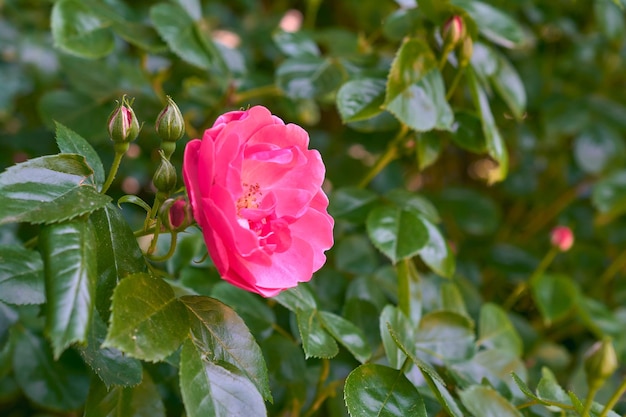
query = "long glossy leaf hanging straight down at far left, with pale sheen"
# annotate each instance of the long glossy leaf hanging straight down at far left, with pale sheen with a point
(69, 260)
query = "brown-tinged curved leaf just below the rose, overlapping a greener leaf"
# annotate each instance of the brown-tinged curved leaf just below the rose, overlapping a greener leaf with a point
(222, 337)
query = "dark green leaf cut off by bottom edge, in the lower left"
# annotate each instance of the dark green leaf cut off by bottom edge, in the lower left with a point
(143, 400)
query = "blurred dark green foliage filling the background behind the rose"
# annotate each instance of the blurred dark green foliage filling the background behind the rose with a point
(555, 79)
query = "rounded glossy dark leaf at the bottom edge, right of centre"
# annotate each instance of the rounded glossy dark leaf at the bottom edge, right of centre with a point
(376, 390)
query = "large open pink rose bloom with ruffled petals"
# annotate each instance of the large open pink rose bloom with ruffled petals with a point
(255, 190)
